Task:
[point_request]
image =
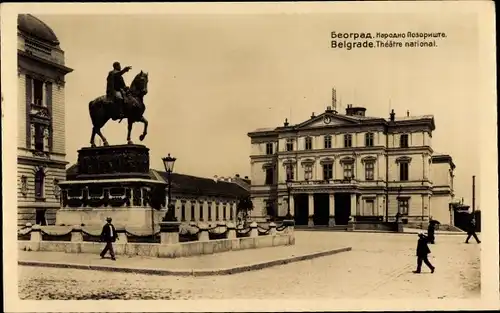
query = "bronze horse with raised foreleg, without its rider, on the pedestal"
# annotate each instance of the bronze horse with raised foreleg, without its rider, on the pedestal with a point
(100, 109)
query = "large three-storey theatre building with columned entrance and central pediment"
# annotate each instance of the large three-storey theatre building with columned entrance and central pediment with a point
(345, 168)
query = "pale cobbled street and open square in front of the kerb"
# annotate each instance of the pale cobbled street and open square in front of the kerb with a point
(379, 266)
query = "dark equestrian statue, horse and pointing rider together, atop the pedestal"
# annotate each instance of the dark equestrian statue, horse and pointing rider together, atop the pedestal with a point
(120, 102)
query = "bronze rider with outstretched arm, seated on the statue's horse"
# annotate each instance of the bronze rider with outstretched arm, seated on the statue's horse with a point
(116, 89)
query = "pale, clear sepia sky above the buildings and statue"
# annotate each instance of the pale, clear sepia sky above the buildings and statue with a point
(214, 78)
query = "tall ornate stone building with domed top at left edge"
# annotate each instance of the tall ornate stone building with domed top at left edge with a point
(41, 151)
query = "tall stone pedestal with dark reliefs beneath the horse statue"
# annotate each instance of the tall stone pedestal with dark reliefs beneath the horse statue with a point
(111, 181)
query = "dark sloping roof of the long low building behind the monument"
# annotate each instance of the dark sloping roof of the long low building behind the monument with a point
(188, 184)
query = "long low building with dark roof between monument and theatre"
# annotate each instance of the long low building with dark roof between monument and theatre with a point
(198, 198)
